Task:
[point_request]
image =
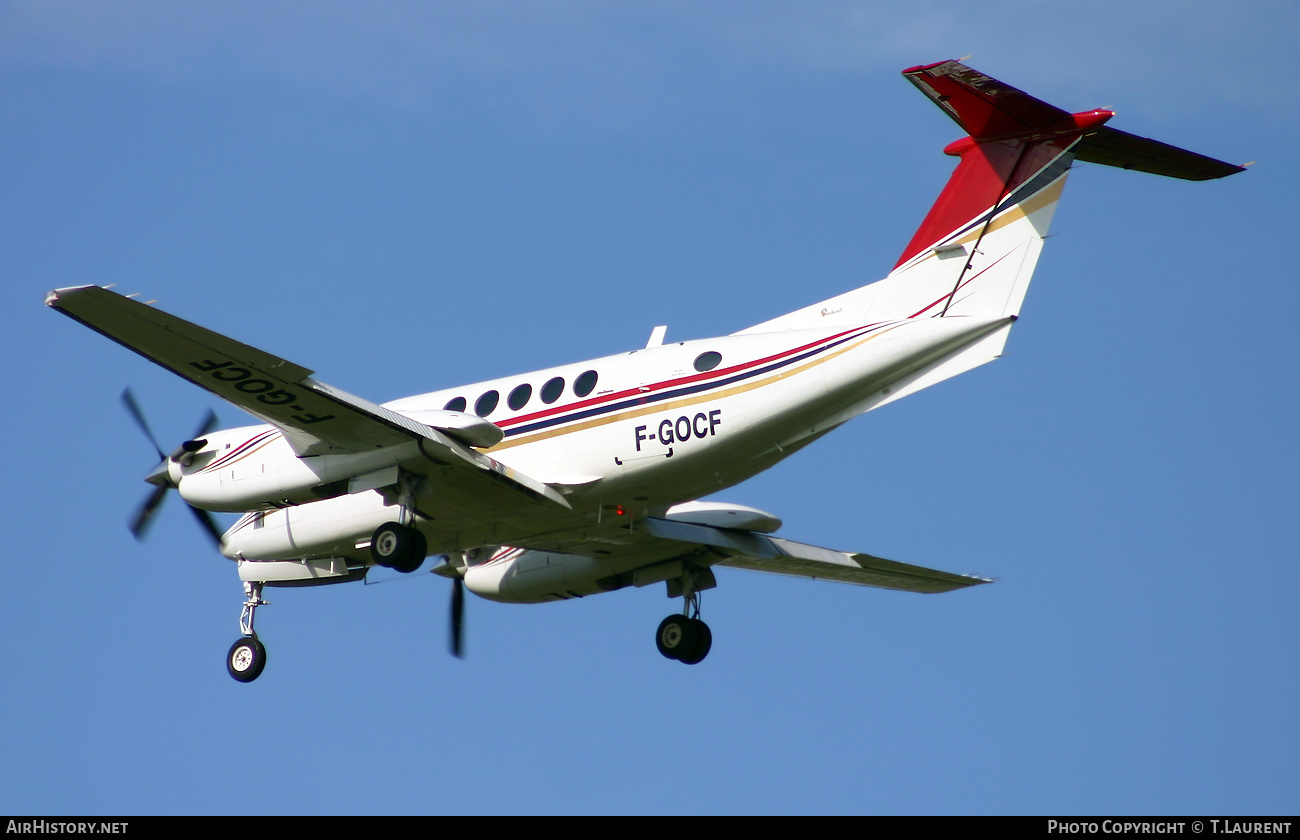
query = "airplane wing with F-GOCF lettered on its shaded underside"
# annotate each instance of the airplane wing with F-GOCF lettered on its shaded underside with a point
(317, 419)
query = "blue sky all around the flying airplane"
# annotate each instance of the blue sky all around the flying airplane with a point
(421, 196)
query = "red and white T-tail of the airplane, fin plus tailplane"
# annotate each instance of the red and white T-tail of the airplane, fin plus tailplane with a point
(978, 246)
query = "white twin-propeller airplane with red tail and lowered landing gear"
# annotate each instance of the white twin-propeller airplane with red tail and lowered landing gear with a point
(583, 479)
